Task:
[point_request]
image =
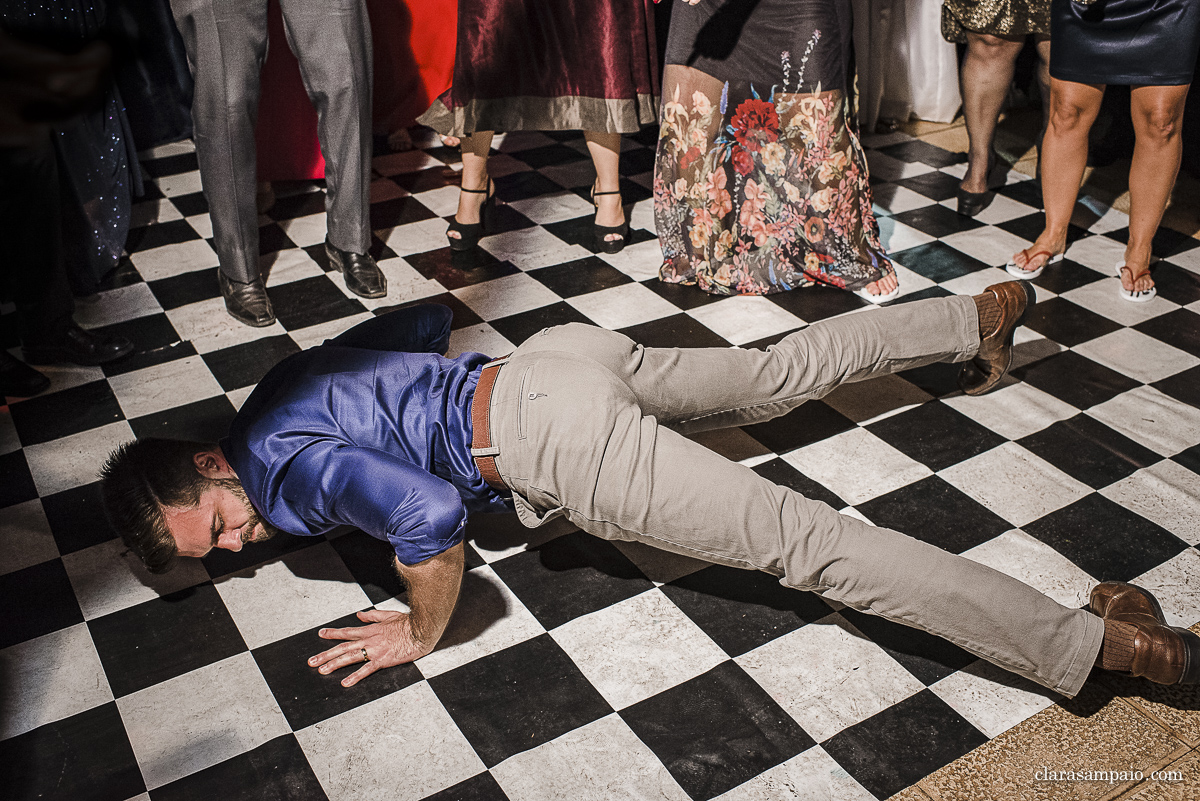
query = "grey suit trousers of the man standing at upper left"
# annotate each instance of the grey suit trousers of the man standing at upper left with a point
(226, 43)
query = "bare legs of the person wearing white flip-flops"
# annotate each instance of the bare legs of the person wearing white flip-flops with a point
(1157, 118)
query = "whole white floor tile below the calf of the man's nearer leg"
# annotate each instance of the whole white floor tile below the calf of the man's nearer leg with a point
(829, 676)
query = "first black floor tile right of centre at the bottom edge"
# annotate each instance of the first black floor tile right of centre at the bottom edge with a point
(717, 731)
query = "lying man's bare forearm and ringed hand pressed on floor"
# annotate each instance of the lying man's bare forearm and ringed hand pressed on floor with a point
(395, 639)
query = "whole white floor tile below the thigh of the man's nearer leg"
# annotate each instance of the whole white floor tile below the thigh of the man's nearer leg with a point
(638, 648)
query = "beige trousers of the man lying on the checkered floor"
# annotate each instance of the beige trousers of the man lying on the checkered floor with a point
(590, 426)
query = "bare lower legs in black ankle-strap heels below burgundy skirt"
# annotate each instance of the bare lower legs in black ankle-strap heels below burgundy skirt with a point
(604, 149)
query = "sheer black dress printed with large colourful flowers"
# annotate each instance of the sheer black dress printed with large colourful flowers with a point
(760, 186)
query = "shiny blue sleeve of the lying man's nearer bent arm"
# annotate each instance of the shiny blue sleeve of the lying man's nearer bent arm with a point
(333, 484)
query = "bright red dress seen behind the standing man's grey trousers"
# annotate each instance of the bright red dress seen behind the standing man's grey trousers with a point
(415, 47)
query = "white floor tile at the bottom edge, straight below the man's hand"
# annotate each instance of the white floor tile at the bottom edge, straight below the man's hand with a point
(404, 745)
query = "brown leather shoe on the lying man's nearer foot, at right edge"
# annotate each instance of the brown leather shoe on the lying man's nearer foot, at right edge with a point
(1163, 654)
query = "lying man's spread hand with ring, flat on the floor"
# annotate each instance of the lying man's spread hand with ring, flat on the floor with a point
(388, 641)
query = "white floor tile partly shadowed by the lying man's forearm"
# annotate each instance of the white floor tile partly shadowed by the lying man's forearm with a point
(489, 619)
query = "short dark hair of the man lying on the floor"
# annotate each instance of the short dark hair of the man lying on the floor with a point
(139, 481)
